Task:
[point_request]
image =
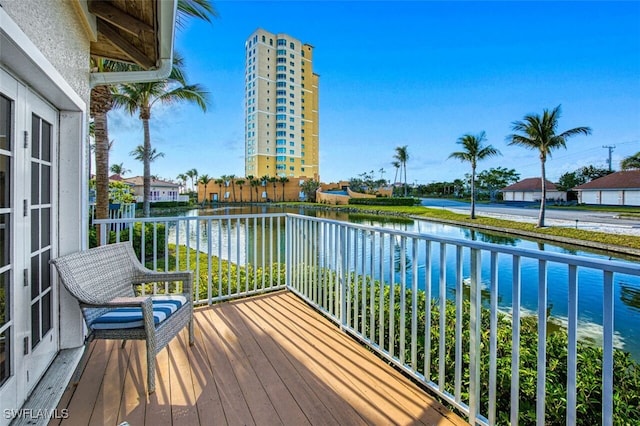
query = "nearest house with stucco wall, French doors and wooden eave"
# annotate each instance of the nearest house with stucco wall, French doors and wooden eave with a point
(45, 85)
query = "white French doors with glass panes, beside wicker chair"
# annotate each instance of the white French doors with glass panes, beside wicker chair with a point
(28, 300)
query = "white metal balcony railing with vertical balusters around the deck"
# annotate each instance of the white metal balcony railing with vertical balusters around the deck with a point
(356, 275)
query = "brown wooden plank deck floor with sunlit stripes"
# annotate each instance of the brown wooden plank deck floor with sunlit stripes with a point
(264, 360)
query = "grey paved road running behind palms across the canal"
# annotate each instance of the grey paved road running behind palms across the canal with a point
(583, 216)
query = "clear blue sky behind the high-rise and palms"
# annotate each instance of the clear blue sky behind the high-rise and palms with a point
(414, 73)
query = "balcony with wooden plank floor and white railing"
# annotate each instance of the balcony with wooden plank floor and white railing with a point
(295, 325)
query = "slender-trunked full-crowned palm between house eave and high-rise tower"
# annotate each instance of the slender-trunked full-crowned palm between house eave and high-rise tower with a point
(141, 97)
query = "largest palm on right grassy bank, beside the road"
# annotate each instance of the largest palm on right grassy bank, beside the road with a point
(539, 133)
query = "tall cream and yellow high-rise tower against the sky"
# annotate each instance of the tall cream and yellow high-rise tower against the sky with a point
(281, 107)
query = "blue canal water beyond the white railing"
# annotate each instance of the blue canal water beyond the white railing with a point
(626, 290)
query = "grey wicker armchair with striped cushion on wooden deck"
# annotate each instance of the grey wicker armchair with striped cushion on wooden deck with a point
(102, 279)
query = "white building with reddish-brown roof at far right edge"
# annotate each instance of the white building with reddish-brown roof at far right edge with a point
(616, 189)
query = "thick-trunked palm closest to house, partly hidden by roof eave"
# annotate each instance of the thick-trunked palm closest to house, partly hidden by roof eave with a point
(101, 103)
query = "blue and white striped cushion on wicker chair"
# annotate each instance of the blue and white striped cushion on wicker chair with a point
(131, 317)
